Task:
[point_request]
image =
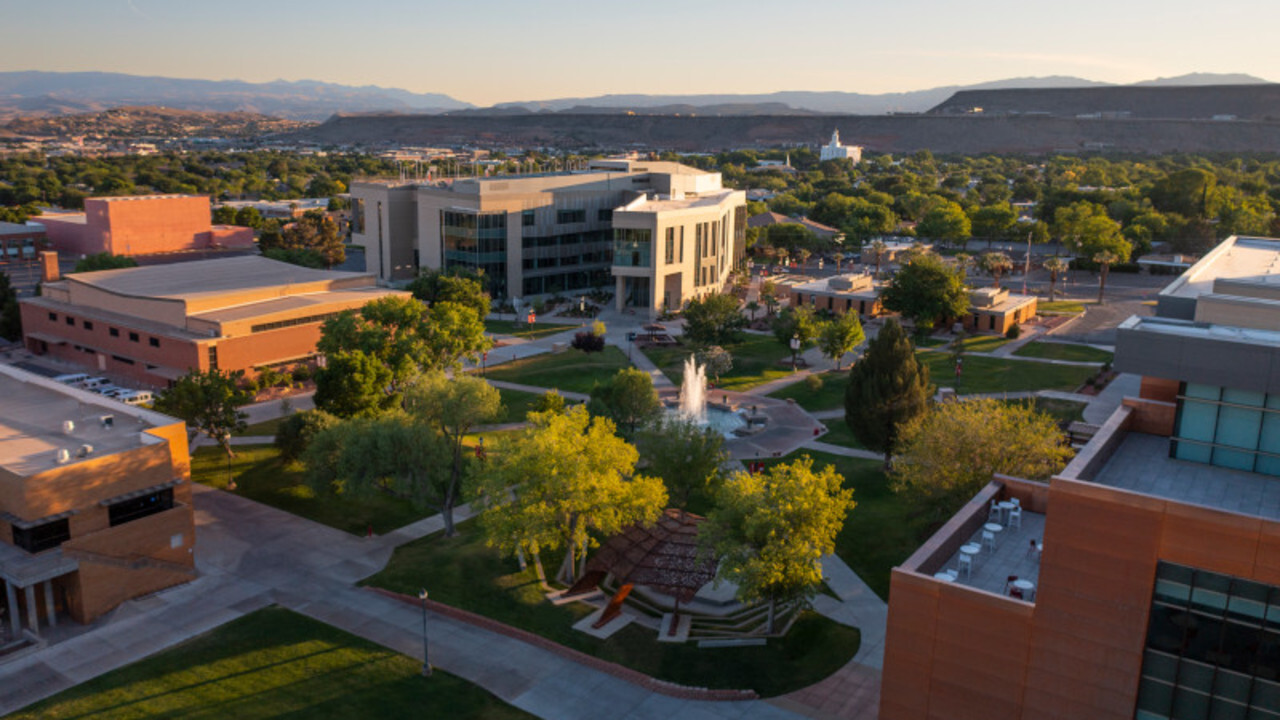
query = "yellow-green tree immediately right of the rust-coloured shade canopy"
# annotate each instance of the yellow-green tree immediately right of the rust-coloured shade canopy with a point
(771, 531)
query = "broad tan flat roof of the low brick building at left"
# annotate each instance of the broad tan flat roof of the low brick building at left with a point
(203, 279)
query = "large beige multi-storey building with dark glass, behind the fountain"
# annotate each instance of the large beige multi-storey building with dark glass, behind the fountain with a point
(659, 233)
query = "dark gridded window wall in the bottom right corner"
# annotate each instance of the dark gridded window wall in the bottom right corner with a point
(1213, 649)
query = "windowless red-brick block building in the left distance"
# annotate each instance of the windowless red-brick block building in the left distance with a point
(143, 225)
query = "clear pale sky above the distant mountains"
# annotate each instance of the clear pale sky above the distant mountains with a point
(487, 52)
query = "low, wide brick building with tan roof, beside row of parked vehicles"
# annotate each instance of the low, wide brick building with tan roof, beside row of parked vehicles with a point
(154, 325)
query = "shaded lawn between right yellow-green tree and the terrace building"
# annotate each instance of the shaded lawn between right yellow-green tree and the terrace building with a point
(884, 530)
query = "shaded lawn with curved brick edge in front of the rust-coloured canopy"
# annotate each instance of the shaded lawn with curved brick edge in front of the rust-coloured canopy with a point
(465, 573)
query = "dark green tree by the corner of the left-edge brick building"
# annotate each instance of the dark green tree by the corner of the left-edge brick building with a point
(209, 403)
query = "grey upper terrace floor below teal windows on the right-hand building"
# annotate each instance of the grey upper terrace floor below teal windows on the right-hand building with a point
(1142, 464)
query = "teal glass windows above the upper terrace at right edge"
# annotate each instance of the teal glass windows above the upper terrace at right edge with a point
(1232, 429)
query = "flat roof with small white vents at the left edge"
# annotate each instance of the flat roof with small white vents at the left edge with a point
(35, 411)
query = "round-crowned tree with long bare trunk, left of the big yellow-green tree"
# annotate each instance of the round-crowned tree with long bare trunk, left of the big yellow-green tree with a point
(452, 408)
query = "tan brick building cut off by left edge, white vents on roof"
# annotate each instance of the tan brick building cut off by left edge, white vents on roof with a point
(95, 504)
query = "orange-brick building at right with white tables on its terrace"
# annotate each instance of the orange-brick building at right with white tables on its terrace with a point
(1145, 580)
